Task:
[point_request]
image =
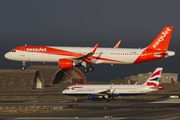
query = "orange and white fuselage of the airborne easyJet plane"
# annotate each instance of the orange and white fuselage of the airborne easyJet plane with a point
(53, 54)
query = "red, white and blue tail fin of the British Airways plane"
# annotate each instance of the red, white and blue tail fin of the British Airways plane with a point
(154, 78)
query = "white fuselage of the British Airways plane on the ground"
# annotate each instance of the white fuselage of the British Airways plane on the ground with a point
(116, 90)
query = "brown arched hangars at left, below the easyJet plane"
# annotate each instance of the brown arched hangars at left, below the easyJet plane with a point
(38, 76)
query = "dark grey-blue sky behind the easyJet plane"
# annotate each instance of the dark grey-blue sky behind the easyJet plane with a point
(88, 22)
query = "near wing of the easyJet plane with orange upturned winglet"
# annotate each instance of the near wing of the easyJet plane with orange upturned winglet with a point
(88, 57)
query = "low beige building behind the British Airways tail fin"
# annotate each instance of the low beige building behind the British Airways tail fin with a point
(165, 78)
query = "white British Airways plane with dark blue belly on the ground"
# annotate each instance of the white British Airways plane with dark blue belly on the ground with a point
(108, 92)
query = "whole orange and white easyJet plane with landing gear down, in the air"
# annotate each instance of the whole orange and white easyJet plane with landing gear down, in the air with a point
(69, 57)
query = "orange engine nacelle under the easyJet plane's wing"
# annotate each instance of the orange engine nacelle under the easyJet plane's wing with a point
(66, 63)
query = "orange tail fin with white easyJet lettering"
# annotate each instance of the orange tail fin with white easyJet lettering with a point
(161, 42)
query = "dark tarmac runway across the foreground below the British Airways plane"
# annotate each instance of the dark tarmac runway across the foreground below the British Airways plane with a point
(156, 109)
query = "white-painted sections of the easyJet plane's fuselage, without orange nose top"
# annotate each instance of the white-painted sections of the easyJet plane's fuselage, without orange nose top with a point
(102, 55)
